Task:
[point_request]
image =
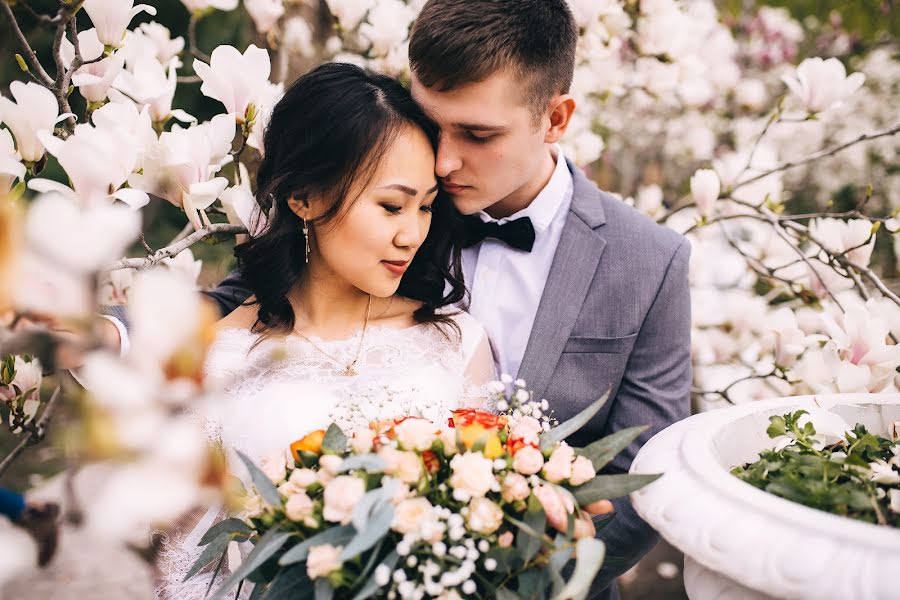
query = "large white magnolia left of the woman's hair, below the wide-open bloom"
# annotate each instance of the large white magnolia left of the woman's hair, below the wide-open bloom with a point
(182, 165)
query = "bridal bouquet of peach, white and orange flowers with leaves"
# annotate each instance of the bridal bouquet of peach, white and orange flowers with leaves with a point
(486, 505)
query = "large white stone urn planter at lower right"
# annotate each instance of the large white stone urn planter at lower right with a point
(742, 543)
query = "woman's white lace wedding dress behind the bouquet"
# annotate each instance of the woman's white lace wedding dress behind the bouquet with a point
(282, 389)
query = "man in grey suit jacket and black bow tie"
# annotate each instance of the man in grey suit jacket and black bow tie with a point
(578, 292)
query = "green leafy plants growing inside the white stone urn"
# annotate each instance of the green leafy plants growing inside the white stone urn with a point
(857, 476)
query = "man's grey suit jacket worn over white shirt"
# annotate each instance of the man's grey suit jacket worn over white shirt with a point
(615, 313)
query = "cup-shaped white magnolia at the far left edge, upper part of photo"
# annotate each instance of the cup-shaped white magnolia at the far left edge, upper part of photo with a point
(34, 110)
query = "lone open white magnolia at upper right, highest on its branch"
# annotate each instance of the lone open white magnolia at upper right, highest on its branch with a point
(820, 84)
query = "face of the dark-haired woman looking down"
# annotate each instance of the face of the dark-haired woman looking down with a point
(370, 244)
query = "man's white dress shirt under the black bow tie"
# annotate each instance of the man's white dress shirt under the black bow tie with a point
(506, 284)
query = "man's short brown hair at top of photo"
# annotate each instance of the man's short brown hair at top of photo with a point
(455, 42)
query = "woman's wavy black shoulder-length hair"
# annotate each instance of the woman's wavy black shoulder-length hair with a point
(325, 138)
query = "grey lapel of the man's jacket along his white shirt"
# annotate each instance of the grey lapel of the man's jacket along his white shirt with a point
(571, 273)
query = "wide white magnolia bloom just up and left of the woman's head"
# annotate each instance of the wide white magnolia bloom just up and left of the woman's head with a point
(235, 79)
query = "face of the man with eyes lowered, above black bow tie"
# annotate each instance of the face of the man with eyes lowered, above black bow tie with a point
(491, 151)
